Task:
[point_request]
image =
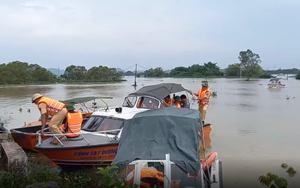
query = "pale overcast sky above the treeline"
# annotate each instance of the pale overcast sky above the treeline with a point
(165, 33)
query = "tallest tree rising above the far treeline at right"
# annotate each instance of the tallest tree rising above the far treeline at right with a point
(249, 63)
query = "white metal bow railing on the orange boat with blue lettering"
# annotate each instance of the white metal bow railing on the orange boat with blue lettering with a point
(39, 134)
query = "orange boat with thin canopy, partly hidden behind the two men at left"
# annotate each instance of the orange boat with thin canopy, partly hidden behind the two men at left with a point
(26, 136)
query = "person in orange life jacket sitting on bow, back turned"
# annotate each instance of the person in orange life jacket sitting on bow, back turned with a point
(73, 122)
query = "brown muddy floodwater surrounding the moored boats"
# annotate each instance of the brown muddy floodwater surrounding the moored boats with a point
(255, 129)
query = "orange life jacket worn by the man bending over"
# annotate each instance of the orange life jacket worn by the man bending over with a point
(53, 106)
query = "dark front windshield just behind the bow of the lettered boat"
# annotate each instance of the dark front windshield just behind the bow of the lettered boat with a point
(100, 123)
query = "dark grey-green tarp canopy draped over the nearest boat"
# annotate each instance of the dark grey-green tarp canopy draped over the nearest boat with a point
(152, 134)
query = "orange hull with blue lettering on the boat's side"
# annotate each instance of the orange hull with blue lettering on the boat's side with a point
(81, 157)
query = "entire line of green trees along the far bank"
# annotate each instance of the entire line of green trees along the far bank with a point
(248, 67)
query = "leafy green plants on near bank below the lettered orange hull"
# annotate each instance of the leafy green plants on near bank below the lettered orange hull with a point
(40, 171)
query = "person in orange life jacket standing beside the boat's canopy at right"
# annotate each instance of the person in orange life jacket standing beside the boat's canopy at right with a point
(203, 100)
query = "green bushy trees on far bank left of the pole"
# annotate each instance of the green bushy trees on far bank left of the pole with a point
(17, 72)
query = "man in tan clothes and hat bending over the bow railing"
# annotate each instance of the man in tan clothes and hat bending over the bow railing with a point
(54, 108)
